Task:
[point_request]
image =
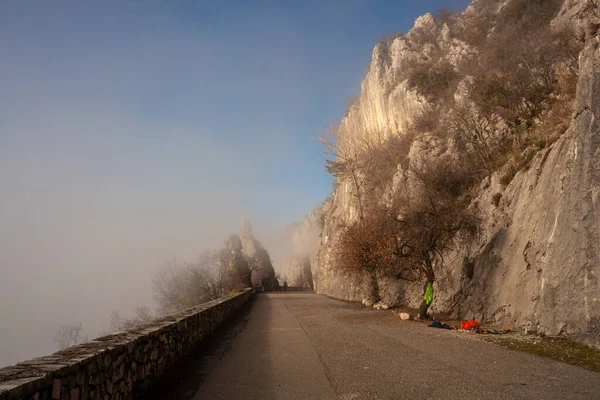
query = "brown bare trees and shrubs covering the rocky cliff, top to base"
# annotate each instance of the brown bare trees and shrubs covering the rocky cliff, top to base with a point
(488, 110)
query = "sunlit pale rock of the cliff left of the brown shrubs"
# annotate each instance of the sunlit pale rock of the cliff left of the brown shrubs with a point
(385, 107)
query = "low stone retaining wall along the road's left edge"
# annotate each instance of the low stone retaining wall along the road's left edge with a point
(121, 365)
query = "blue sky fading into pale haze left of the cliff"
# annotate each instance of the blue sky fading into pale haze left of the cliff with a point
(136, 131)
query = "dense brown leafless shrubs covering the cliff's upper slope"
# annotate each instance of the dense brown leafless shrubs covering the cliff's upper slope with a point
(522, 70)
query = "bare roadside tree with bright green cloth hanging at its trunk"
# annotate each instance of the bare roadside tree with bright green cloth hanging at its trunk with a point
(432, 220)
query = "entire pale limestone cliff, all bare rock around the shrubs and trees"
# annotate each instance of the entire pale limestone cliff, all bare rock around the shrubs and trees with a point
(535, 262)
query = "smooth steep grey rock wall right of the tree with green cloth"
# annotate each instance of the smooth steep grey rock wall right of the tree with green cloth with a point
(537, 265)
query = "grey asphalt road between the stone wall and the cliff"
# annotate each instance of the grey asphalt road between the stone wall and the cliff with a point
(307, 346)
